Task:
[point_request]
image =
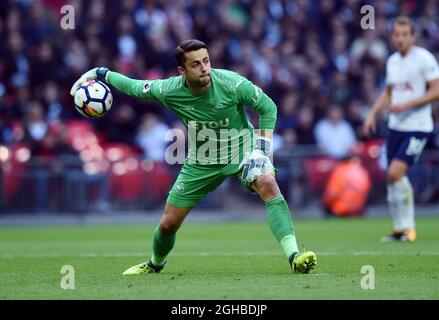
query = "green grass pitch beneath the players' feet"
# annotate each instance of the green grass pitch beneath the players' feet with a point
(235, 260)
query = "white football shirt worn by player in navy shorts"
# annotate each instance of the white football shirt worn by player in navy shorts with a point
(408, 77)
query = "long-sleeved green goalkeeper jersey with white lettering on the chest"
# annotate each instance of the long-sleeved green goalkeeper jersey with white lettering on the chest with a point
(219, 131)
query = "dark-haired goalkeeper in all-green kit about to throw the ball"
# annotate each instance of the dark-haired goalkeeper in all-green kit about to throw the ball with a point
(212, 101)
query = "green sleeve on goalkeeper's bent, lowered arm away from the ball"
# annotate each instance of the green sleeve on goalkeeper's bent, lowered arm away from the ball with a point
(251, 95)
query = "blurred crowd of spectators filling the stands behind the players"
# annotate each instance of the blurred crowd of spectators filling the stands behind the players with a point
(311, 57)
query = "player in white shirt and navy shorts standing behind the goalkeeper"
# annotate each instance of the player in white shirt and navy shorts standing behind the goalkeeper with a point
(412, 83)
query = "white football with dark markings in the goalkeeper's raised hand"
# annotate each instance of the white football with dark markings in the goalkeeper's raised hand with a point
(93, 99)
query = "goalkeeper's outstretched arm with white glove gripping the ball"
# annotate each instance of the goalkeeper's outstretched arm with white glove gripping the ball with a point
(143, 89)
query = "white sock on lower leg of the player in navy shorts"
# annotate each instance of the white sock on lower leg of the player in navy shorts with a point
(404, 201)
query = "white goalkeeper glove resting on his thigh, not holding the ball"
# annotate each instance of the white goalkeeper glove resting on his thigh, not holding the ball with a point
(256, 163)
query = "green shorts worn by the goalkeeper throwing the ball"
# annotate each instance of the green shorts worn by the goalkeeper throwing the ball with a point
(195, 181)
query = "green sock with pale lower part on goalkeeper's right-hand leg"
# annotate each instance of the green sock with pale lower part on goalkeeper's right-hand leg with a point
(281, 225)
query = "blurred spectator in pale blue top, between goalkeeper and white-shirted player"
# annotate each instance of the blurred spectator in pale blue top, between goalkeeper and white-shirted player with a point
(334, 134)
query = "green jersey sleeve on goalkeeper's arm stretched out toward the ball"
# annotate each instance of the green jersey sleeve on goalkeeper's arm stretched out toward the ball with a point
(143, 89)
